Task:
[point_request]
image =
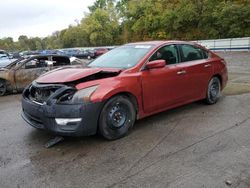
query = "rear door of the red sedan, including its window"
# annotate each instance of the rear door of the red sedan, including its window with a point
(199, 69)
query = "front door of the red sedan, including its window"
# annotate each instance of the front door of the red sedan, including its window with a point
(164, 87)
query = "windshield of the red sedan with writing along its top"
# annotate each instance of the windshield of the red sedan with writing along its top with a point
(122, 57)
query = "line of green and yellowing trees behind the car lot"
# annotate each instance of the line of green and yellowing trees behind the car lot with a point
(114, 22)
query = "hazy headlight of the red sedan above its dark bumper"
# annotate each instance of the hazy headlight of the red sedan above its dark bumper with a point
(84, 95)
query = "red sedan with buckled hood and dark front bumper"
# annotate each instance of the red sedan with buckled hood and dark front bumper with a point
(128, 83)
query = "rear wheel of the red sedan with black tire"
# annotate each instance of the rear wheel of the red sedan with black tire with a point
(213, 90)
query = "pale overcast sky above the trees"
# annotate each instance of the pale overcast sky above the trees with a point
(39, 17)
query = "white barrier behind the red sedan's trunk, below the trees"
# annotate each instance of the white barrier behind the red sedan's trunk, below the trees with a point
(231, 44)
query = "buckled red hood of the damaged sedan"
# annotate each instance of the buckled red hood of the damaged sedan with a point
(66, 75)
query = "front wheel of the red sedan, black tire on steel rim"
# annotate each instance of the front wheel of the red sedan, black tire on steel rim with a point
(117, 117)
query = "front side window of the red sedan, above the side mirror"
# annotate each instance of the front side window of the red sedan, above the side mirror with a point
(168, 53)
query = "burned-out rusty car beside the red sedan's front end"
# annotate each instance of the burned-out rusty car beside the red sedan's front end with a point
(20, 73)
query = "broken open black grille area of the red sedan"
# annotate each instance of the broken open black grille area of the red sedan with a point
(40, 94)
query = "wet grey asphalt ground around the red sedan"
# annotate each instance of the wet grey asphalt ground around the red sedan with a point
(192, 146)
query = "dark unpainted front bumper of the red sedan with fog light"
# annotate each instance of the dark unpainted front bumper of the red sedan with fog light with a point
(62, 119)
